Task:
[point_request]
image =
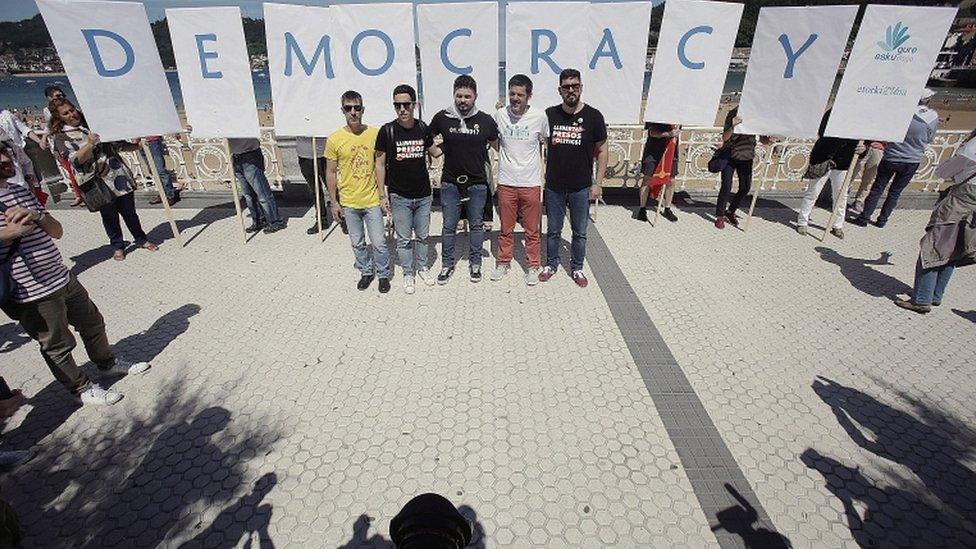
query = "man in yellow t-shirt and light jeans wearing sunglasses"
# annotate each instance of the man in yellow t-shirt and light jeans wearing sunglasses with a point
(351, 172)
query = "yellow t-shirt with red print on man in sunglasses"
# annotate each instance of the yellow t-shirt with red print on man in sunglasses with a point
(357, 176)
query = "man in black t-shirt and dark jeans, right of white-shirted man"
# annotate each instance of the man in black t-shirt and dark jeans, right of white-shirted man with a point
(578, 134)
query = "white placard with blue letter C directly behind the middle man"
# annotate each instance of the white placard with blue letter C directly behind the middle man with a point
(458, 39)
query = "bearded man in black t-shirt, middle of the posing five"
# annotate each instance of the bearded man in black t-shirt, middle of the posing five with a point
(467, 133)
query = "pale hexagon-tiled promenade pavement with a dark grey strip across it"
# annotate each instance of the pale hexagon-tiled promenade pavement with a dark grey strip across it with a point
(708, 389)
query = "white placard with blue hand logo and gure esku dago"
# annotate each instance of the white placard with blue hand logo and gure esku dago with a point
(893, 55)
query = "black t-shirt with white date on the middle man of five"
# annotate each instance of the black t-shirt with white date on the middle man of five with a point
(465, 149)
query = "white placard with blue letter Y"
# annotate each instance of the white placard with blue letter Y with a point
(795, 55)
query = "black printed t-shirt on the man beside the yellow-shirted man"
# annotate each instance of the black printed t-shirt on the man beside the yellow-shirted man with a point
(406, 162)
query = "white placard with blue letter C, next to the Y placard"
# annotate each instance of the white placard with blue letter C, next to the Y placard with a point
(692, 61)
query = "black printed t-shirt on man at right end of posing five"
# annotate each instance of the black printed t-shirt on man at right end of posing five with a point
(572, 147)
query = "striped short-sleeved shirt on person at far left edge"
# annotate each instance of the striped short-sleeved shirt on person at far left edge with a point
(38, 270)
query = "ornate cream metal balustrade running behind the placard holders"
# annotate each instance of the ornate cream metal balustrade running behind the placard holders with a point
(203, 164)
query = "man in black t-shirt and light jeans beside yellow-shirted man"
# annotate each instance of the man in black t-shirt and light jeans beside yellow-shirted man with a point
(401, 163)
